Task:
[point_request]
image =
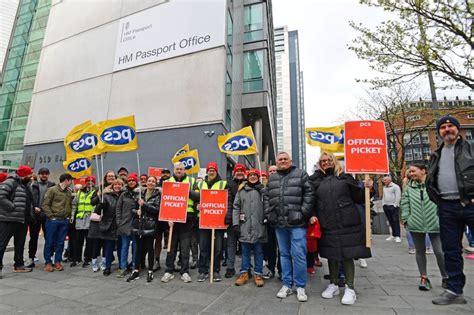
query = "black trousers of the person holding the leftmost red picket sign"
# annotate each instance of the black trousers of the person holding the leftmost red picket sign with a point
(182, 233)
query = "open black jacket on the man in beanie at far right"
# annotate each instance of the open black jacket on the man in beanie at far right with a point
(464, 165)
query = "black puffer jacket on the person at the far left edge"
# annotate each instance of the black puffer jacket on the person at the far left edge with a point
(16, 204)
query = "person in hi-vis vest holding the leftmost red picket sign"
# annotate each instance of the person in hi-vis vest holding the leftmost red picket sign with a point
(182, 232)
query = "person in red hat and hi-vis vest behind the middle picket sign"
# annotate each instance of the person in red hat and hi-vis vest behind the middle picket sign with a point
(211, 181)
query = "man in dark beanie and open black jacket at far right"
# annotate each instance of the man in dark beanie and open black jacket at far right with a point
(450, 184)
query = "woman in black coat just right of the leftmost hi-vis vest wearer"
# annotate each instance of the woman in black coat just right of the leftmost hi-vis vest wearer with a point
(107, 227)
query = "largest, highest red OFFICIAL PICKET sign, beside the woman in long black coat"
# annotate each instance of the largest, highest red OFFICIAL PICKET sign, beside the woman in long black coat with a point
(365, 146)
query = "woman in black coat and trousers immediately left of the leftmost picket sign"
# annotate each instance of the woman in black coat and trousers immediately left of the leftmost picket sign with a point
(144, 225)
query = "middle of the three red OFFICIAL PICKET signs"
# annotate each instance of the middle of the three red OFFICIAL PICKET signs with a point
(213, 209)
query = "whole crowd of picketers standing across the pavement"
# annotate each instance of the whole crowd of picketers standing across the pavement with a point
(273, 216)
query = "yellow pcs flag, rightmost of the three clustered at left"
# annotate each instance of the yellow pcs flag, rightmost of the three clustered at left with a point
(117, 135)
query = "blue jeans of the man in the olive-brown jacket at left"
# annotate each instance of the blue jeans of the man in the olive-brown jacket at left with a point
(56, 231)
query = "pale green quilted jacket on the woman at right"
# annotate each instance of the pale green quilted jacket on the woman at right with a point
(419, 213)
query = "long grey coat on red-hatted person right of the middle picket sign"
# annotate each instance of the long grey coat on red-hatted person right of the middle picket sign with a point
(249, 203)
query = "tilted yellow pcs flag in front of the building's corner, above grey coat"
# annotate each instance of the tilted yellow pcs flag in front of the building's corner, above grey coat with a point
(241, 142)
